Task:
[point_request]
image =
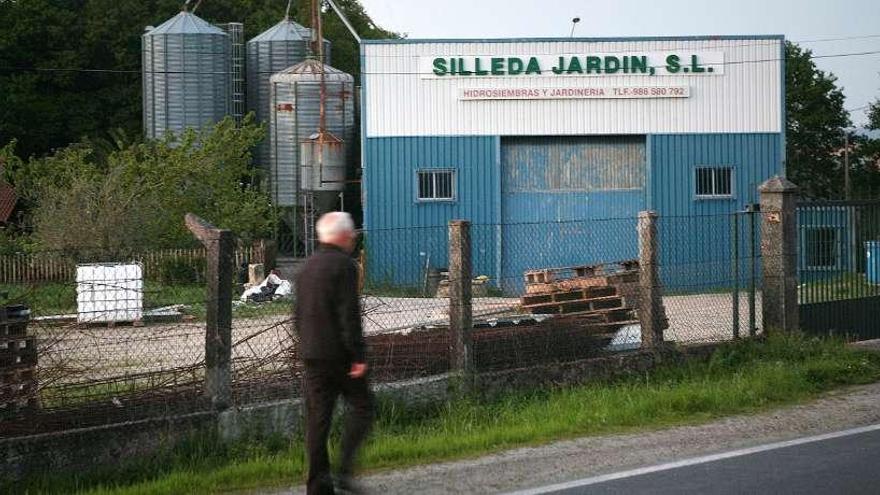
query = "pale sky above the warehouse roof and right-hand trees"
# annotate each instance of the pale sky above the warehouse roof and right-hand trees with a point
(811, 23)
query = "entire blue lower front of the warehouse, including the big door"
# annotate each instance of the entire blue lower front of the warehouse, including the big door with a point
(592, 225)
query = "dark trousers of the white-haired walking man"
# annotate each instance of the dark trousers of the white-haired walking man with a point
(324, 381)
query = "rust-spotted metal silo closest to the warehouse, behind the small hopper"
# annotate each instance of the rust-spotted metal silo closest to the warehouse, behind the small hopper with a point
(295, 116)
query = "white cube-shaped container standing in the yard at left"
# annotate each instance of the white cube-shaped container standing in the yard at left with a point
(109, 292)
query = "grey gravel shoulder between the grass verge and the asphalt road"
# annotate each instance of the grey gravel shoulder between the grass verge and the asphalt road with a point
(574, 459)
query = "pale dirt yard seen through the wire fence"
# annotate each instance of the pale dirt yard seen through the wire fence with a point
(76, 353)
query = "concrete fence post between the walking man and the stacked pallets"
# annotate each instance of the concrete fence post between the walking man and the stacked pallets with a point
(460, 310)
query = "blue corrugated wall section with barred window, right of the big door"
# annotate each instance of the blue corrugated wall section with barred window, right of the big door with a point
(696, 234)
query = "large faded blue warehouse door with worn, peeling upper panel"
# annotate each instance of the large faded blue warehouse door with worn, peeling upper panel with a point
(569, 201)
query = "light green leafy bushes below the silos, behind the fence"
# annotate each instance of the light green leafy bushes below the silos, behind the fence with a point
(135, 197)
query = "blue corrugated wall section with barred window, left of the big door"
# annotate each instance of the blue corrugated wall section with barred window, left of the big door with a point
(404, 235)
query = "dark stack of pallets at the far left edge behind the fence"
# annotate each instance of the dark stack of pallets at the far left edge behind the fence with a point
(18, 361)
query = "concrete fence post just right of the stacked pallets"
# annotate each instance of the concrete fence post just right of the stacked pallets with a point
(650, 304)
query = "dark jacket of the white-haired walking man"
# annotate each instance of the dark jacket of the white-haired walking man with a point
(327, 312)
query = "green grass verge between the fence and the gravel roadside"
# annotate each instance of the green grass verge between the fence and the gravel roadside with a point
(745, 377)
